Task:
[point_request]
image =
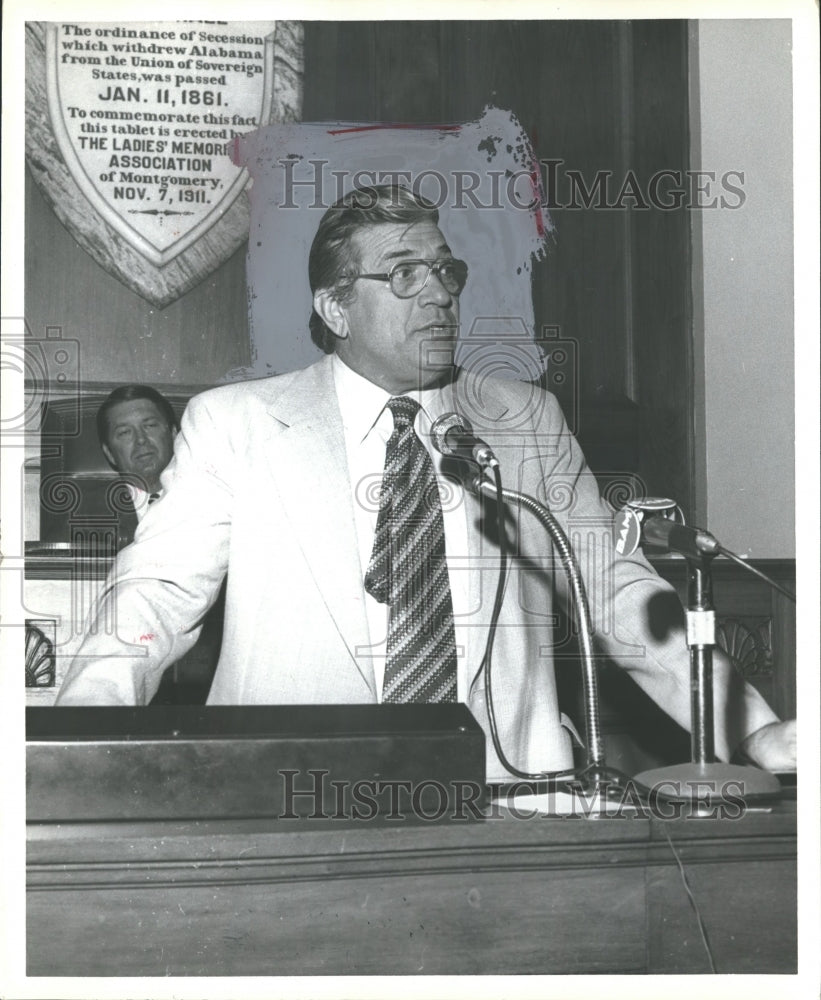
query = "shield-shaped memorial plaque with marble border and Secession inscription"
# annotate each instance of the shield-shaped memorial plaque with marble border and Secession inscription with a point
(128, 125)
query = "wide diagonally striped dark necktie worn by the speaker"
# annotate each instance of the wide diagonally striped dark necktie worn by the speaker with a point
(408, 570)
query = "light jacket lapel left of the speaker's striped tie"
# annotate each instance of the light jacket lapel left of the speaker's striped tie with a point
(309, 466)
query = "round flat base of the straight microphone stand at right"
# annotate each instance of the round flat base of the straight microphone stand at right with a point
(710, 783)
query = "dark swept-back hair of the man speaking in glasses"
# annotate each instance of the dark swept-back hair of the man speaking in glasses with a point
(333, 262)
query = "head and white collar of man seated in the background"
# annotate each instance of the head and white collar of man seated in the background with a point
(136, 427)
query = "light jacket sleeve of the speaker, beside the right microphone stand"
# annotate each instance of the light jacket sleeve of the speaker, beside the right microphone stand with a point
(637, 616)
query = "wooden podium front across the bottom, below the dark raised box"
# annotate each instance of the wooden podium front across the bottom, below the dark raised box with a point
(266, 896)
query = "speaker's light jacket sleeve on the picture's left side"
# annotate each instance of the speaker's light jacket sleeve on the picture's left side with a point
(150, 609)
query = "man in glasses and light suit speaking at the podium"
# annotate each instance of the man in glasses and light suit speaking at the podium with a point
(278, 480)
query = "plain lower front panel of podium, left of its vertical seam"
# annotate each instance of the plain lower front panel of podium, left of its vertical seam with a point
(468, 926)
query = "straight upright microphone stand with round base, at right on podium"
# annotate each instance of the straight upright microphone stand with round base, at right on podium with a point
(703, 775)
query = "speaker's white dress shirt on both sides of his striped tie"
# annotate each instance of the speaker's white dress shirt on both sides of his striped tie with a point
(367, 426)
